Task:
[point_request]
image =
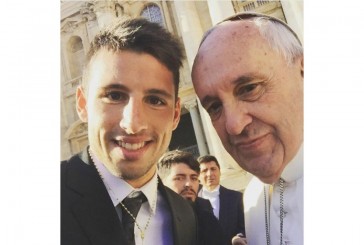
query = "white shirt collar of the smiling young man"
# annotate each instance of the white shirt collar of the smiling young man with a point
(119, 188)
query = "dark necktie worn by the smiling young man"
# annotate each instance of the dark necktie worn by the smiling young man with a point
(133, 205)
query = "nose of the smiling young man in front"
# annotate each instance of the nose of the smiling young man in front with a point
(133, 117)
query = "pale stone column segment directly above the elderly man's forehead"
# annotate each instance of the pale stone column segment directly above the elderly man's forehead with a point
(220, 10)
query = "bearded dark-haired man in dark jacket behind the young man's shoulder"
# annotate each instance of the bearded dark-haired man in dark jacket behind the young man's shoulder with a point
(179, 171)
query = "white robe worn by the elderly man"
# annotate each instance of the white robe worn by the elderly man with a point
(254, 207)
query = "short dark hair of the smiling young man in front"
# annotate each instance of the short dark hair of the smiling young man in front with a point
(141, 36)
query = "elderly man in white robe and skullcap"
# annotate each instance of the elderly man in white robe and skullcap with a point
(248, 75)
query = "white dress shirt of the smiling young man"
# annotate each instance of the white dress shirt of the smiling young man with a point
(159, 230)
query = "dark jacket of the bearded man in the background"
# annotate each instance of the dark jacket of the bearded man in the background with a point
(209, 229)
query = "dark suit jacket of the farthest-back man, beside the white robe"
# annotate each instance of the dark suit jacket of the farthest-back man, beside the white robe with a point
(231, 215)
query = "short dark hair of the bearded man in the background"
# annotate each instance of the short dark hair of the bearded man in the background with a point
(177, 157)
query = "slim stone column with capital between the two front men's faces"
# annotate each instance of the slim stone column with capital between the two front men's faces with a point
(191, 106)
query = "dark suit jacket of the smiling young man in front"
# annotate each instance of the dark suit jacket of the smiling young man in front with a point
(88, 216)
